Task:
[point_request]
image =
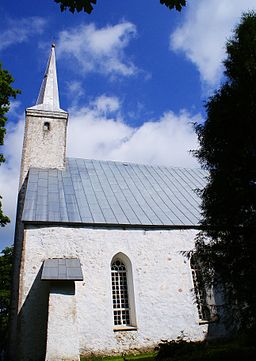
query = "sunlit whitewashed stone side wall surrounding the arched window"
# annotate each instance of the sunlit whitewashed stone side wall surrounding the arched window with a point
(165, 305)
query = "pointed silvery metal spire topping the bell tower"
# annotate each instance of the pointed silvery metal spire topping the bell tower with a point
(48, 98)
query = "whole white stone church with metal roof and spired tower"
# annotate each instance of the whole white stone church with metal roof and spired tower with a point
(100, 265)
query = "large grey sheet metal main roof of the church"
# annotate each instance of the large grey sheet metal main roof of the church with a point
(114, 193)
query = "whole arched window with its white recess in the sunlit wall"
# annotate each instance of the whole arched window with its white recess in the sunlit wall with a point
(122, 292)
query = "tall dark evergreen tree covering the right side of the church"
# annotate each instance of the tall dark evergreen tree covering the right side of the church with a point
(227, 244)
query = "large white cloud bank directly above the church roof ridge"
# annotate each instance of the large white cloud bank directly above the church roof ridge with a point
(94, 133)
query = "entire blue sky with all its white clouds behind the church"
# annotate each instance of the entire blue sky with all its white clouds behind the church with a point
(133, 76)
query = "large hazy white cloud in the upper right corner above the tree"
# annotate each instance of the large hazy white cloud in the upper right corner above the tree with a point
(202, 36)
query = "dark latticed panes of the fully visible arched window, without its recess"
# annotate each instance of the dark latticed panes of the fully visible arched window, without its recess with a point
(120, 294)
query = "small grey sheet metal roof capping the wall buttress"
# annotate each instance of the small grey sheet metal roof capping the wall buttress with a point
(62, 269)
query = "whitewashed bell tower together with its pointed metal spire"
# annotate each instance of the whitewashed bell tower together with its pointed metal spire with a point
(44, 143)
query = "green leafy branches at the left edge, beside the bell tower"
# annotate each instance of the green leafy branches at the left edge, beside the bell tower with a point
(6, 91)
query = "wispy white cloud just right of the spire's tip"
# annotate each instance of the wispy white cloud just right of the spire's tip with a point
(99, 50)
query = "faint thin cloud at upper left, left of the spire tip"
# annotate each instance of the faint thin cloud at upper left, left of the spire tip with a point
(20, 30)
